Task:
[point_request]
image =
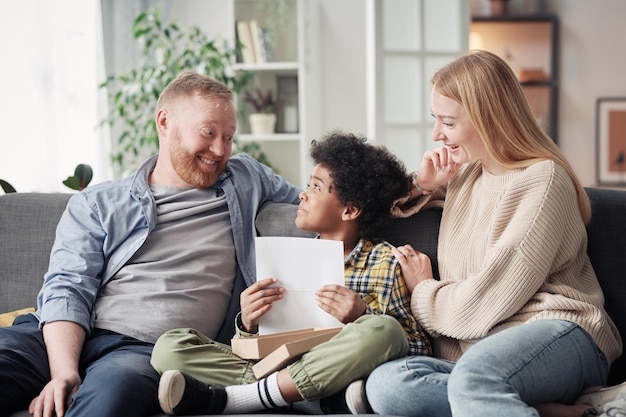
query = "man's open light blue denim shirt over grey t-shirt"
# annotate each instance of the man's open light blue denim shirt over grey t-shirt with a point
(105, 224)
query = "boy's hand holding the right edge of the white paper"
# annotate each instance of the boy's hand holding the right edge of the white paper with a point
(340, 302)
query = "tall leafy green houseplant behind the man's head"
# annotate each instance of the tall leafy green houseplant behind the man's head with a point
(166, 51)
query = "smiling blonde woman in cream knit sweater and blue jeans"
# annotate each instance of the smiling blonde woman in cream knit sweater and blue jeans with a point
(517, 318)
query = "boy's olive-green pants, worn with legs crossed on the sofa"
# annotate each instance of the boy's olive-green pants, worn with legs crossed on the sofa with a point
(323, 371)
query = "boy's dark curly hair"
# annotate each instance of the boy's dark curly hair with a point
(366, 176)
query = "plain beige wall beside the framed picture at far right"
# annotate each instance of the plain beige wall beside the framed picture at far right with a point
(593, 65)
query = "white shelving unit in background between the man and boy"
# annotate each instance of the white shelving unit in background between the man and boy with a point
(290, 26)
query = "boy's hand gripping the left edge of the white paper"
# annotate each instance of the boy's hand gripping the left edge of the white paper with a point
(256, 300)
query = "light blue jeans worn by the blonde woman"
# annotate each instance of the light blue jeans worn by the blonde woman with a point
(502, 375)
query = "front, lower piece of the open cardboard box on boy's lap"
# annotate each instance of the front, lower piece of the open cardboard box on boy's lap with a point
(291, 351)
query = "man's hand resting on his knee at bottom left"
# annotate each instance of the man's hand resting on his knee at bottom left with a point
(55, 396)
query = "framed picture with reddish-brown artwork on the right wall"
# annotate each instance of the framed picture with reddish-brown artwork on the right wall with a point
(611, 140)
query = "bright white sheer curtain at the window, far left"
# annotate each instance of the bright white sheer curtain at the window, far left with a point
(50, 104)
